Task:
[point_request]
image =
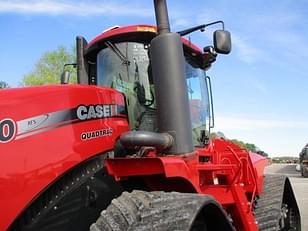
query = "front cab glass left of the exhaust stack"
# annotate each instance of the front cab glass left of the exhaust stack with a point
(125, 67)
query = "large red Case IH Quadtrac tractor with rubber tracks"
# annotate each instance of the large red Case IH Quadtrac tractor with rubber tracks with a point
(128, 147)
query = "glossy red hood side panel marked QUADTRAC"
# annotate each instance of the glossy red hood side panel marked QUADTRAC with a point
(45, 146)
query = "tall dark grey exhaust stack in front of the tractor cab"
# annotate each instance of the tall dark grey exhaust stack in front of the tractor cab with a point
(168, 68)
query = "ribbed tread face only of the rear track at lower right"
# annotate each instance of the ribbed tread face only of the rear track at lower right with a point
(268, 206)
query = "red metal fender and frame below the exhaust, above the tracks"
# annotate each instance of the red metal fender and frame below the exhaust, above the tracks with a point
(222, 169)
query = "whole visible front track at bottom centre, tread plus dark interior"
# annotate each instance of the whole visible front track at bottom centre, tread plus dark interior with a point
(161, 211)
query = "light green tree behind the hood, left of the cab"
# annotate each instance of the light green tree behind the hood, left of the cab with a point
(49, 67)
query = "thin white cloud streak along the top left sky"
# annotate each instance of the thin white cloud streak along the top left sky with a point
(80, 8)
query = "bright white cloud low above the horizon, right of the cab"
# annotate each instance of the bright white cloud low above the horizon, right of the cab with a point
(276, 137)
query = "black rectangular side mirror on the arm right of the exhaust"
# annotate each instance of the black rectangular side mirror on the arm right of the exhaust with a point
(222, 41)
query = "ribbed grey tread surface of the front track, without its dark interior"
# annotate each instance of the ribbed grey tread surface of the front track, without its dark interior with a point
(153, 211)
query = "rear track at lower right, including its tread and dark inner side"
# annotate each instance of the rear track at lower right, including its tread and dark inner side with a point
(276, 208)
